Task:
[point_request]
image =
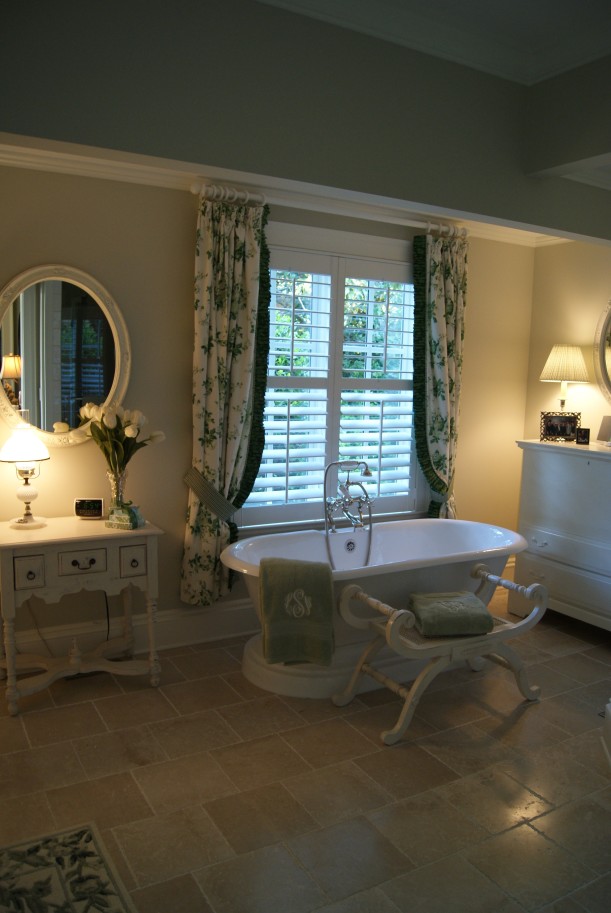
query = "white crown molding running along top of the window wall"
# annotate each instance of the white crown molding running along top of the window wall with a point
(107, 164)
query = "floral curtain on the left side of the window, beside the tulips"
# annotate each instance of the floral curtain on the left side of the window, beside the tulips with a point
(229, 377)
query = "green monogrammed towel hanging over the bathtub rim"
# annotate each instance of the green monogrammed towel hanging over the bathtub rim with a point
(296, 599)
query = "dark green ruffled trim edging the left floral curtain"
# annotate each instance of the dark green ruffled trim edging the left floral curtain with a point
(257, 431)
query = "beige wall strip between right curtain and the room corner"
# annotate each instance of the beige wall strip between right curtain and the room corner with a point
(494, 381)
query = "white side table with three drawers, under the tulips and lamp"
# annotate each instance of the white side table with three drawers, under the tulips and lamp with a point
(66, 556)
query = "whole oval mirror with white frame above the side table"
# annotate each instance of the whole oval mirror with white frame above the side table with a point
(72, 345)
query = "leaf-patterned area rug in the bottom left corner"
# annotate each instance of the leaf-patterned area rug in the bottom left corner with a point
(68, 872)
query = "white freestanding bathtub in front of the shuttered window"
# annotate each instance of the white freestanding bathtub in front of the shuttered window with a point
(407, 556)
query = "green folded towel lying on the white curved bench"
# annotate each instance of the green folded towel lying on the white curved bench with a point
(450, 614)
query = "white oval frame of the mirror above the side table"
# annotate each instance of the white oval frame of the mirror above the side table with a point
(92, 287)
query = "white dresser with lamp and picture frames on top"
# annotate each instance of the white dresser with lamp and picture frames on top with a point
(565, 516)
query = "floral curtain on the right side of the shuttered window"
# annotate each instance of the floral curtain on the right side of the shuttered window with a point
(440, 283)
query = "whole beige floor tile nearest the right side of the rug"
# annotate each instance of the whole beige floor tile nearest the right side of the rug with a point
(168, 845)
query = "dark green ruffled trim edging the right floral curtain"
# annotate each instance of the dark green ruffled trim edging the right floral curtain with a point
(420, 356)
